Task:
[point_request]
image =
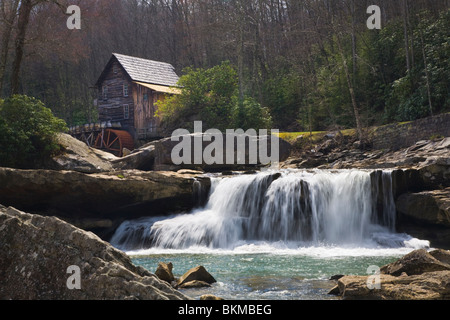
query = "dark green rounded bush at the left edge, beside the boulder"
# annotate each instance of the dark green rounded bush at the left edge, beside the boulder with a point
(27, 132)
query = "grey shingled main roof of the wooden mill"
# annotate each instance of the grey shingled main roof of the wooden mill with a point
(147, 71)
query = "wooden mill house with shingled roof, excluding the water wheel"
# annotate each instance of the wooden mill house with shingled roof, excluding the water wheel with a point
(147, 81)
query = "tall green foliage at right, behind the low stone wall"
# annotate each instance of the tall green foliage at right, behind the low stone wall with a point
(385, 91)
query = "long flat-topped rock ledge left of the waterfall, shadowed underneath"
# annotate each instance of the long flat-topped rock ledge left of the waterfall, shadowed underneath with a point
(112, 195)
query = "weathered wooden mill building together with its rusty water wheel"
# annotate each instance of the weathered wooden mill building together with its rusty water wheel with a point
(127, 92)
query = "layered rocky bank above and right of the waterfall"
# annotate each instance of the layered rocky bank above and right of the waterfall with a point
(420, 180)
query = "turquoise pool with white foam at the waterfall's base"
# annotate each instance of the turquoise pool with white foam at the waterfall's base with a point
(299, 274)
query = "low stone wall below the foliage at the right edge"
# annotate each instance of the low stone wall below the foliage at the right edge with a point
(401, 135)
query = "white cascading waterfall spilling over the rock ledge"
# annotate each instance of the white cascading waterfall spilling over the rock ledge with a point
(318, 206)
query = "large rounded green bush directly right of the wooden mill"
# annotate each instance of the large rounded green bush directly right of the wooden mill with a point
(211, 95)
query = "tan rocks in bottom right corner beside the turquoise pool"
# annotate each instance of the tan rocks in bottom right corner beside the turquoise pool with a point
(420, 275)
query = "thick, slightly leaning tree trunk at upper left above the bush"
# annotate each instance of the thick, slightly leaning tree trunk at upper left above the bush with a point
(24, 16)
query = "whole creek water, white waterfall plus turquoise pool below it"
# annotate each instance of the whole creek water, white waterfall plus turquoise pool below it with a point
(277, 234)
